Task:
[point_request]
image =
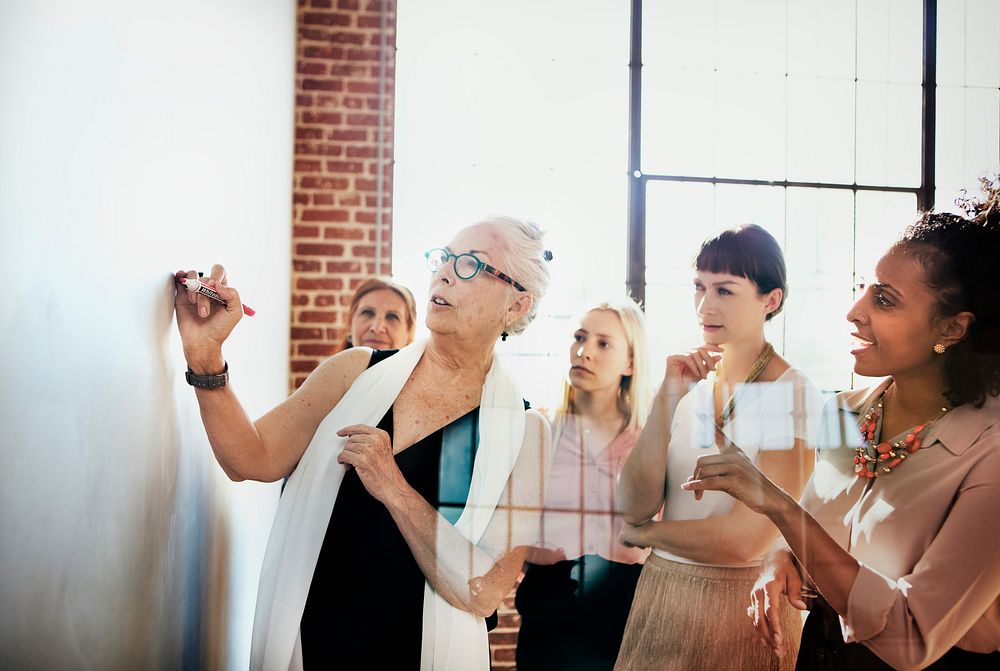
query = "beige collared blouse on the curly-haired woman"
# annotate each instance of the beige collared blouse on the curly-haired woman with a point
(926, 535)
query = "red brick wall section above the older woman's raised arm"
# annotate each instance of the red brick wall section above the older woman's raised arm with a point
(335, 194)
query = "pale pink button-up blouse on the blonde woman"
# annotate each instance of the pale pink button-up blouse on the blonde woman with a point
(580, 513)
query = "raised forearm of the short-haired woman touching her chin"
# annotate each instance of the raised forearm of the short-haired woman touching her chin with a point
(641, 483)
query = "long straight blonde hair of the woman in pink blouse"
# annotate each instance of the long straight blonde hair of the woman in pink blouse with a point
(635, 395)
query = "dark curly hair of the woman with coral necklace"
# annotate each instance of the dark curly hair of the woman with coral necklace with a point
(960, 255)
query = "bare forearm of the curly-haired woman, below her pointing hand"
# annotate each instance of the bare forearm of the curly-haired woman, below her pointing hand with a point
(831, 568)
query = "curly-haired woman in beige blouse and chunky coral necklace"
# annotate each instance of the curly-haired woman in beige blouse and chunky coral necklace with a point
(895, 536)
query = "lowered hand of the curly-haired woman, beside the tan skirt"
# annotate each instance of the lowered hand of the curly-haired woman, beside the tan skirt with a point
(779, 580)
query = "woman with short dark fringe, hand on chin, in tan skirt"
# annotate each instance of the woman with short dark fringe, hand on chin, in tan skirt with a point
(687, 610)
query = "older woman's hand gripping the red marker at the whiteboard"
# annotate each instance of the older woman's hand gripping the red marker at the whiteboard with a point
(203, 323)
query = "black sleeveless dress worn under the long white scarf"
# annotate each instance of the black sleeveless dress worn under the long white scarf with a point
(365, 603)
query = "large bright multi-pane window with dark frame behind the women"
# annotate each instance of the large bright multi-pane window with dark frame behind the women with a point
(803, 116)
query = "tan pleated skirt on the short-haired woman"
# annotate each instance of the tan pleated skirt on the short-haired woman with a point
(693, 617)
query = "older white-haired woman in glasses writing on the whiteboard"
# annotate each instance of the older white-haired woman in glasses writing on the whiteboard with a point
(414, 476)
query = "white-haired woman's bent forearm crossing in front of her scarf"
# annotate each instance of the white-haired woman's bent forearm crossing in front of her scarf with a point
(458, 570)
